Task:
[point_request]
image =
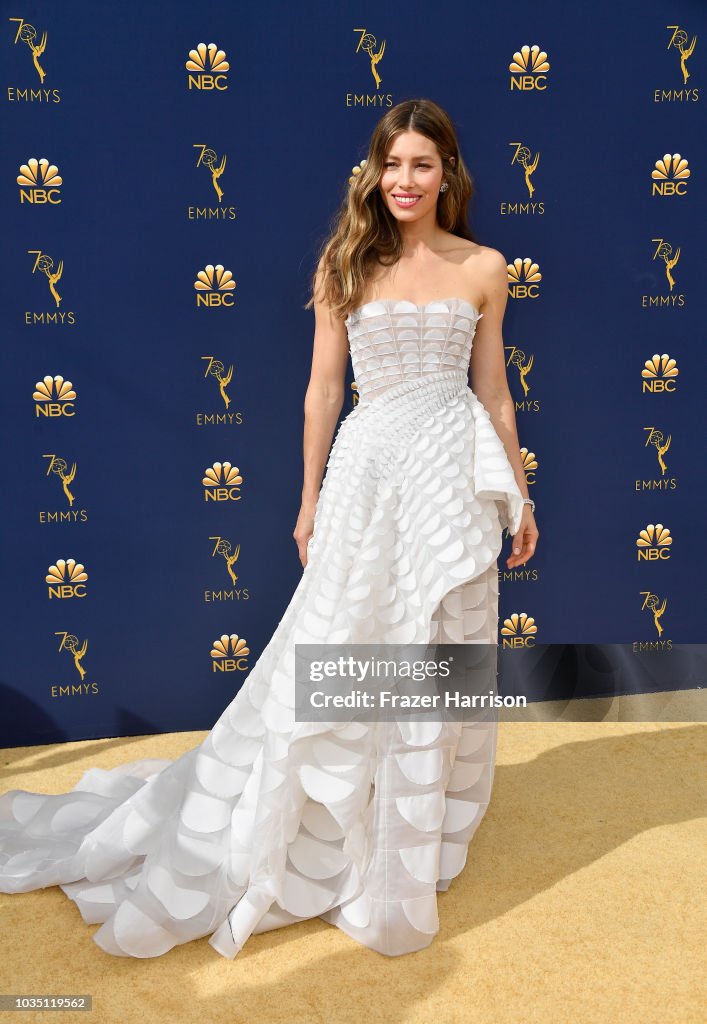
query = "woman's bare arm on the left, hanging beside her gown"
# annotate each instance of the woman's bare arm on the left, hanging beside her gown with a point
(323, 404)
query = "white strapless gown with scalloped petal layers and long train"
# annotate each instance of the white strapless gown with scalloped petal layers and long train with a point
(270, 822)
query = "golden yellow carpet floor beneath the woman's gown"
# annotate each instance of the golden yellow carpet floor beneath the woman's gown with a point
(583, 901)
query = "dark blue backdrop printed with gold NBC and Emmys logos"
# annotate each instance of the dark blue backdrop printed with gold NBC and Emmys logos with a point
(169, 175)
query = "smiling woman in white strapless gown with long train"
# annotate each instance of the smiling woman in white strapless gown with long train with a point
(273, 821)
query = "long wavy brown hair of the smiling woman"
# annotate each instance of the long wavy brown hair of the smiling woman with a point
(364, 232)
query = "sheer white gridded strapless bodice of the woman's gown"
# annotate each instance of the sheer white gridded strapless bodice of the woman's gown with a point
(395, 340)
